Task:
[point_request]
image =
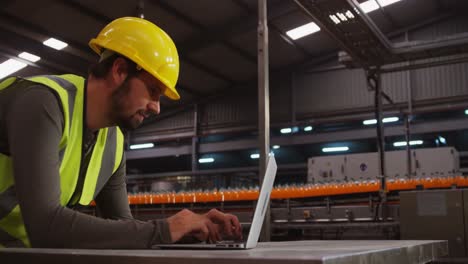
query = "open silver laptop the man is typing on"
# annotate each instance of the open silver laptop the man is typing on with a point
(257, 221)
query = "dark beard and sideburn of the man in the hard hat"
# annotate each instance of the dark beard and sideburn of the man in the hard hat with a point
(118, 108)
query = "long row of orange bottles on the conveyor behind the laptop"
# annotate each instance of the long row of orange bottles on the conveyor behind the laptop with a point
(295, 191)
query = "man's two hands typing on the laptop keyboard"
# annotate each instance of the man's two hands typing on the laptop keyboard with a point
(207, 227)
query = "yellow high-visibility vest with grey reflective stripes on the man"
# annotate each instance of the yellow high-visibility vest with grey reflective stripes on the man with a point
(105, 160)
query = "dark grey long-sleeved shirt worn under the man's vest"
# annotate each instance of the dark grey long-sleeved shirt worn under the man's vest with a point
(31, 124)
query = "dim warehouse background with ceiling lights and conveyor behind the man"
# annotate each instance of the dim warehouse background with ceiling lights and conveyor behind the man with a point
(367, 111)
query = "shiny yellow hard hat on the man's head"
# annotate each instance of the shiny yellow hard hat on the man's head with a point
(145, 44)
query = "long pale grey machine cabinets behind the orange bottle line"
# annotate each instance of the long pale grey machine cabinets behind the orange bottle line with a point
(429, 162)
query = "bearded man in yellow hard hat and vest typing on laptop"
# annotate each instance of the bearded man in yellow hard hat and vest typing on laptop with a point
(61, 146)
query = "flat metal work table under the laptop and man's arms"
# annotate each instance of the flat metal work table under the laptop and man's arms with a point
(317, 252)
